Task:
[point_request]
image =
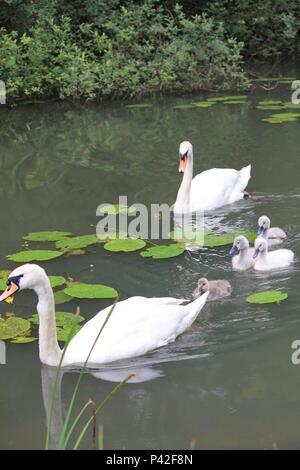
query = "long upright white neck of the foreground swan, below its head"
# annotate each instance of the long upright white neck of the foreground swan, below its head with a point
(49, 349)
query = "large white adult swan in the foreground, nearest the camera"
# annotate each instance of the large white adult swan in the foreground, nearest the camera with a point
(136, 326)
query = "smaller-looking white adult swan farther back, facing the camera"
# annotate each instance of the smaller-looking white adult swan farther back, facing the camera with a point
(209, 189)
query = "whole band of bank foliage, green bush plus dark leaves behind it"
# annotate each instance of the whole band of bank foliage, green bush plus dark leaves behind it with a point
(94, 48)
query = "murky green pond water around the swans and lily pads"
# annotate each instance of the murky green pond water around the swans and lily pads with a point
(229, 381)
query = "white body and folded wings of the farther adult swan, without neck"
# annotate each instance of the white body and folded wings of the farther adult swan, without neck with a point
(218, 187)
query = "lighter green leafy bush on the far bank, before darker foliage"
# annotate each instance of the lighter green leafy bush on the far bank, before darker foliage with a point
(137, 50)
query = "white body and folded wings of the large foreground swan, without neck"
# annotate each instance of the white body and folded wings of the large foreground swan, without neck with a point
(135, 327)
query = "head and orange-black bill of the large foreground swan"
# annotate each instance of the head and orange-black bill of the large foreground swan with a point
(28, 276)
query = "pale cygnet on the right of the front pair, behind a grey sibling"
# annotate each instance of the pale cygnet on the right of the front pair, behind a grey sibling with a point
(275, 260)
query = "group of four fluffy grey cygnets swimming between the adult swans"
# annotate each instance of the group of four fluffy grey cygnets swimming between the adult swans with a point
(258, 258)
